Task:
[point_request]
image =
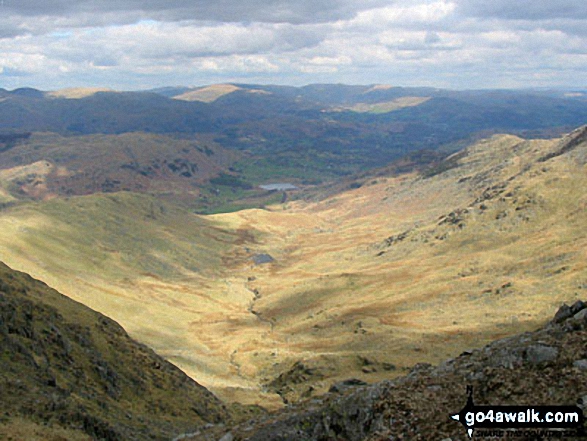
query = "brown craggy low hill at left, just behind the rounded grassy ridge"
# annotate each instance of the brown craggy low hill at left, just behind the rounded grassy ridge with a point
(89, 164)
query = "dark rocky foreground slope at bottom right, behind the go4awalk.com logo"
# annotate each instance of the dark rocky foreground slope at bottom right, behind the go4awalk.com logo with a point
(544, 367)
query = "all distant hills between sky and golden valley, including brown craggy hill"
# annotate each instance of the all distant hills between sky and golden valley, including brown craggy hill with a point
(214, 145)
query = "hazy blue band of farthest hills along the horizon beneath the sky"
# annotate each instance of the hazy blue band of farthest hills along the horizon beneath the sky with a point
(268, 118)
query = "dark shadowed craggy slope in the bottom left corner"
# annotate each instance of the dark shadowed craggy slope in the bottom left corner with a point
(68, 367)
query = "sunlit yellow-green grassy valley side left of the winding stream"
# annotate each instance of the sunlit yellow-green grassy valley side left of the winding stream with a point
(152, 266)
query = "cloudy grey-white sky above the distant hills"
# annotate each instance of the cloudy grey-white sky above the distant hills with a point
(133, 45)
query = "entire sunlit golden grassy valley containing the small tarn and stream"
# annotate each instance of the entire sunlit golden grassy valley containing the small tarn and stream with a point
(270, 306)
